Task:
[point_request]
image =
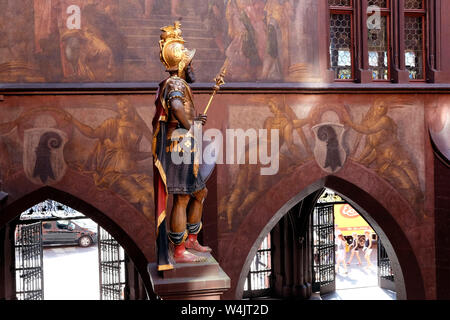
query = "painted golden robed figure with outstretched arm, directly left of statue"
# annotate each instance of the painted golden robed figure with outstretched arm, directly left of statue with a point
(114, 160)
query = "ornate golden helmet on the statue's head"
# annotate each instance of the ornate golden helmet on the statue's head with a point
(173, 54)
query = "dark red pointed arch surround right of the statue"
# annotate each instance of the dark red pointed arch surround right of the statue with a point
(364, 190)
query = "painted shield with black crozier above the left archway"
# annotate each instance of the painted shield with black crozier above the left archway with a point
(43, 158)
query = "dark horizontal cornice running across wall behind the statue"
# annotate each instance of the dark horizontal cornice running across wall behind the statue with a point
(229, 88)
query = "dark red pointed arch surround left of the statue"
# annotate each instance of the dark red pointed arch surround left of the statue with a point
(120, 219)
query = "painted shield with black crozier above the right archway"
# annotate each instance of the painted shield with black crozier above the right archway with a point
(328, 151)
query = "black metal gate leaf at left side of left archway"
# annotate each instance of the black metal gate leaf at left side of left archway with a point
(28, 265)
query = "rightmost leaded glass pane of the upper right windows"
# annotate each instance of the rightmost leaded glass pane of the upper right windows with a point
(414, 46)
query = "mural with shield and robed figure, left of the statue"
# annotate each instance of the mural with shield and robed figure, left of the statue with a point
(109, 149)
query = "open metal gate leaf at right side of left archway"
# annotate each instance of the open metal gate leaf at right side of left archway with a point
(112, 268)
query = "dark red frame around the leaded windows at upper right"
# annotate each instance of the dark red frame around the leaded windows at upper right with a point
(395, 13)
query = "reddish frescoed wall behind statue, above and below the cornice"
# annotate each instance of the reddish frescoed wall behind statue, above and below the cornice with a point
(95, 146)
